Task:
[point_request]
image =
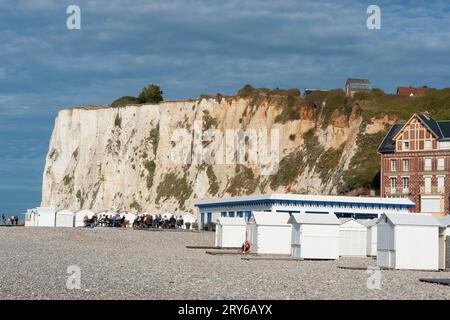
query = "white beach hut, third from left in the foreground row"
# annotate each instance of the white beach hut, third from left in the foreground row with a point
(315, 236)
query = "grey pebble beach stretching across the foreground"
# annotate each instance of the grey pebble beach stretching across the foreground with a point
(130, 264)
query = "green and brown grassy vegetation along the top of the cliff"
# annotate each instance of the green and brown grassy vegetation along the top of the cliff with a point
(332, 103)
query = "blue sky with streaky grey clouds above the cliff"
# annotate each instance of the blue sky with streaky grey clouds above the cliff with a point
(193, 47)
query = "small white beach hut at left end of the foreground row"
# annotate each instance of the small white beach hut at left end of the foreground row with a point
(230, 232)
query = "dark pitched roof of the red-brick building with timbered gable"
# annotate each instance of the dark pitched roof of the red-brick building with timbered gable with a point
(440, 129)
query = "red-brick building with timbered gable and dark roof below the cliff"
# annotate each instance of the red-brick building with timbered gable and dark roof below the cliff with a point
(415, 163)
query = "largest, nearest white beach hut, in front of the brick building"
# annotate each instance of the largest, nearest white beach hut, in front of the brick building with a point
(408, 241)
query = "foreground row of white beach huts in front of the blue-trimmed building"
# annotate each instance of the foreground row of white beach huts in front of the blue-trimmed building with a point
(408, 241)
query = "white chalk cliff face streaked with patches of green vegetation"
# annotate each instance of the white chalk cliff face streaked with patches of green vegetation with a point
(123, 158)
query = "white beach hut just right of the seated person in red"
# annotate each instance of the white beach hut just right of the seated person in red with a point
(269, 233)
